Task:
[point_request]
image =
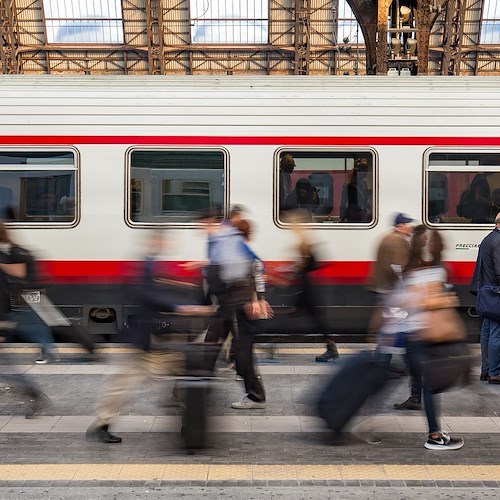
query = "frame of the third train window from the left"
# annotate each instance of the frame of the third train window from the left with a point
(327, 224)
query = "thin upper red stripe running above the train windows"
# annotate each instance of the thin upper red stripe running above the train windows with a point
(66, 140)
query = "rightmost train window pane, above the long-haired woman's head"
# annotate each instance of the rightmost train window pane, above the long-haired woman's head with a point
(462, 187)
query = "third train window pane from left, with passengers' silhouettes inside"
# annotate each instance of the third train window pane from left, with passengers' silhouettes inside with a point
(334, 187)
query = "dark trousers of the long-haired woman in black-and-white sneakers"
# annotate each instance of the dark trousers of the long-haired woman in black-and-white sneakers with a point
(416, 356)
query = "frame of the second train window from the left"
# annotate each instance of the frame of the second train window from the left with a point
(173, 224)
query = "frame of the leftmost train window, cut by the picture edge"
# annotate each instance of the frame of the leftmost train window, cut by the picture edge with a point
(74, 167)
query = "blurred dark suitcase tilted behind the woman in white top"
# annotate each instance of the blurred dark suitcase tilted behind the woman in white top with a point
(360, 377)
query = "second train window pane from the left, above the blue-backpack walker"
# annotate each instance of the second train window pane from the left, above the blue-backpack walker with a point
(174, 186)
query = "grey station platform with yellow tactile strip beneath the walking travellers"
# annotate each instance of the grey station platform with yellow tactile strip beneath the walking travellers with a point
(281, 451)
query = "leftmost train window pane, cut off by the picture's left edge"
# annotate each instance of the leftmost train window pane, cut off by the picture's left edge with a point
(38, 186)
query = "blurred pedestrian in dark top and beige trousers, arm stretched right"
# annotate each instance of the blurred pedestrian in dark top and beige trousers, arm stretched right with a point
(152, 299)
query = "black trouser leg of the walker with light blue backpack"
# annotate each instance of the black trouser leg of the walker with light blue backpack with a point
(243, 350)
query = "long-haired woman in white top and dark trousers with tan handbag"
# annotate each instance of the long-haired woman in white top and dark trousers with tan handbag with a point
(422, 280)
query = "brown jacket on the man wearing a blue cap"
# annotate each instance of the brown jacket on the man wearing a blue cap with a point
(393, 249)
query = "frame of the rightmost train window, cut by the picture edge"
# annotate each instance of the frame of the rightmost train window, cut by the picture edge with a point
(470, 169)
